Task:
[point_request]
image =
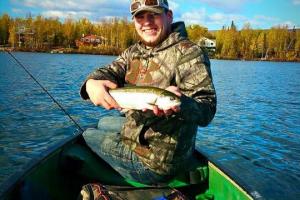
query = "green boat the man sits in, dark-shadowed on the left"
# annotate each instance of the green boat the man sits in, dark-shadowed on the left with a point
(61, 172)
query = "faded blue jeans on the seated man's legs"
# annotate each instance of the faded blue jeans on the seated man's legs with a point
(105, 140)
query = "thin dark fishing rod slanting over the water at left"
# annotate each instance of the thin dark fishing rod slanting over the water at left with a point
(45, 90)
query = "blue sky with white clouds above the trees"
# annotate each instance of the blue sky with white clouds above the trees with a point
(213, 14)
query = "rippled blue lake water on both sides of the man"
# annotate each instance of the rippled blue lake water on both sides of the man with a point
(255, 133)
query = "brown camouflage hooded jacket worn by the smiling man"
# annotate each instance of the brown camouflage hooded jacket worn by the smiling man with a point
(164, 144)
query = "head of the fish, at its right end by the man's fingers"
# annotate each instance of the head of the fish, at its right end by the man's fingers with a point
(167, 101)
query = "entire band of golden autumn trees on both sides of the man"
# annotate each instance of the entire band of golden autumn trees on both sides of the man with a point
(43, 34)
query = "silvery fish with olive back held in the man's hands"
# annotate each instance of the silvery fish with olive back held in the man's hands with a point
(144, 97)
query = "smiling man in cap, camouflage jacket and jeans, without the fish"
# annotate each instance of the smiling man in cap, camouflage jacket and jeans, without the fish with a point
(153, 146)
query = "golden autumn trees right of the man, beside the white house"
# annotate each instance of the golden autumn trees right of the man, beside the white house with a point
(278, 43)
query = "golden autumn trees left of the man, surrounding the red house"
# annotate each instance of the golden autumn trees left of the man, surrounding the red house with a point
(43, 34)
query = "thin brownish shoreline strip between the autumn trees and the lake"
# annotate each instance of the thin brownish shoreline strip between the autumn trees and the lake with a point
(76, 51)
